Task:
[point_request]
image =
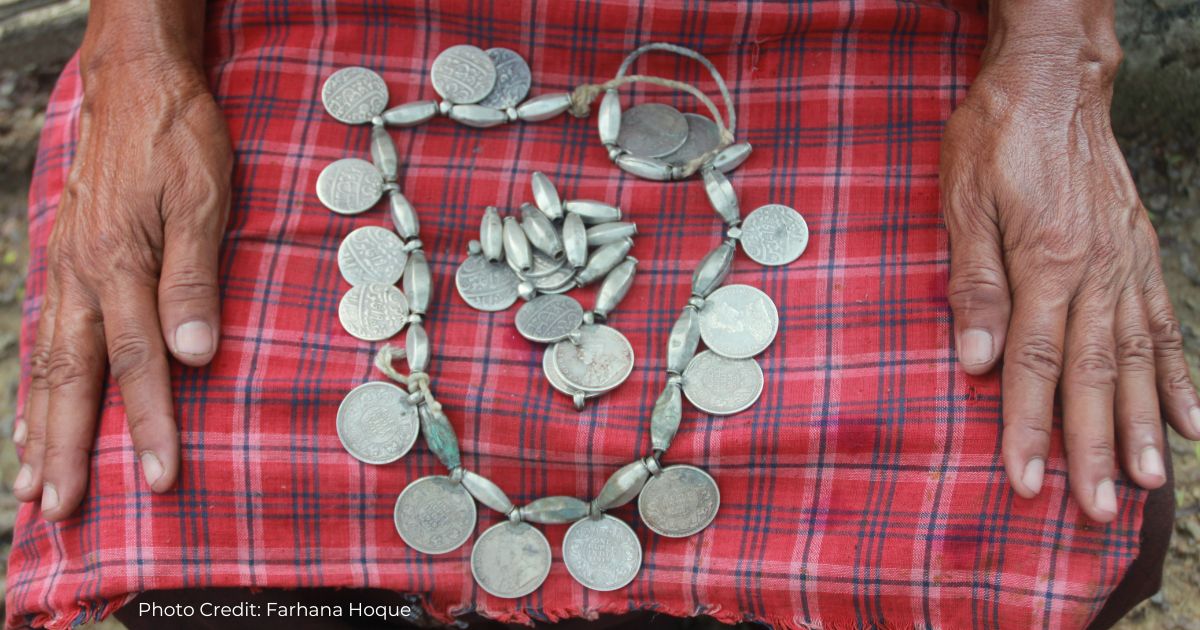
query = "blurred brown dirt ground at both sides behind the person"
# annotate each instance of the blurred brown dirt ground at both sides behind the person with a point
(1157, 116)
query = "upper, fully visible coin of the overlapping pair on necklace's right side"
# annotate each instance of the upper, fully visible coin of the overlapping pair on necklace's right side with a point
(739, 321)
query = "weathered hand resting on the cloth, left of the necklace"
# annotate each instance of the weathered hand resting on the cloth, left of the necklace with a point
(133, 271)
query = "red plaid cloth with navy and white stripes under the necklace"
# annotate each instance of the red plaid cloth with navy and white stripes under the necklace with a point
(866, 489)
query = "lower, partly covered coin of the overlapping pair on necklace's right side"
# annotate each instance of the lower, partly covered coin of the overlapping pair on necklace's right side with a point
(721, 386)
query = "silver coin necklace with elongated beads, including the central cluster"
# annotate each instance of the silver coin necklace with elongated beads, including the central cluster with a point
(379, 422)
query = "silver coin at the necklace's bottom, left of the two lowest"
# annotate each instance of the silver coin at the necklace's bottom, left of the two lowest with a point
(511, 560)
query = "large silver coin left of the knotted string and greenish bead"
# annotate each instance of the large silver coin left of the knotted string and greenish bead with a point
(377, 424)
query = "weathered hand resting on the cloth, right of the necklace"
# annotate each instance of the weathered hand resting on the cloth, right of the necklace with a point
(1054, 266)
